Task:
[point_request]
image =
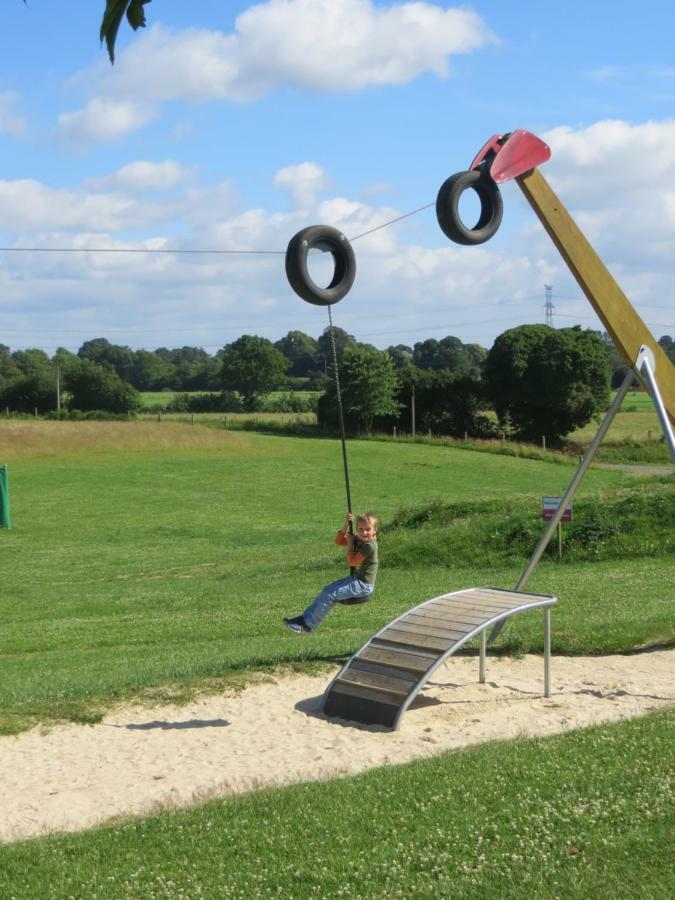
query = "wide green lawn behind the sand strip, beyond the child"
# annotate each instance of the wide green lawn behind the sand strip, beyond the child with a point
(145, 555)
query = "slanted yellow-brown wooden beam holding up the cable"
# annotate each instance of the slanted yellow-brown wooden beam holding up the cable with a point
(616, 312)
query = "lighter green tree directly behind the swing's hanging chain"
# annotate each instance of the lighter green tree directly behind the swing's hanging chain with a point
(368, 388)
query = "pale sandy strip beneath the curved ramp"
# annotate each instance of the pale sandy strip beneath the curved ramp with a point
(139, 760)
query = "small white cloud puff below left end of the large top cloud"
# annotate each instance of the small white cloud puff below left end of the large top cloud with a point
(104, 119)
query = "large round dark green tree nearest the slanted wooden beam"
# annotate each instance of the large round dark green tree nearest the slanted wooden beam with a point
(544, 381)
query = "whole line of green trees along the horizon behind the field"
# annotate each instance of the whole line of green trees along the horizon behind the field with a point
(536, 379)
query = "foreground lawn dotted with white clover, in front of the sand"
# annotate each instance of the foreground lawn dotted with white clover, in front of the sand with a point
(587, 814)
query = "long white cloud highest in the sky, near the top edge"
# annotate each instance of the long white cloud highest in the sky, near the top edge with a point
(318, 45)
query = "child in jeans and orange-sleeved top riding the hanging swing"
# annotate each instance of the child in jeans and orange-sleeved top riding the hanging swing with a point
(362, 558)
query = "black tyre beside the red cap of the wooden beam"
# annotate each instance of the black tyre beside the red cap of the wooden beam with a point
(491, 207)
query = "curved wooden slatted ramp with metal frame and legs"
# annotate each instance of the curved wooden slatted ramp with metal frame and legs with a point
(380, 681)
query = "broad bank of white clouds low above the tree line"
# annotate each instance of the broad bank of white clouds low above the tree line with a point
(406, 289)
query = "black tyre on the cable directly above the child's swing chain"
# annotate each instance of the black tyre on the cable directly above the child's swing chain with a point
(320, 237)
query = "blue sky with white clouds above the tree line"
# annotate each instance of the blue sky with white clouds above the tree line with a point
(229, 126)
